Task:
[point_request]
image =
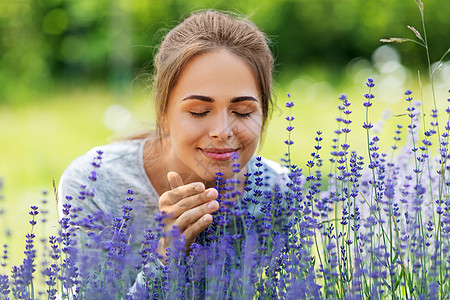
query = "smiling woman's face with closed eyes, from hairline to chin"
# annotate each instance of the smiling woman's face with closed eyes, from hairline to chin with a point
(214, 110)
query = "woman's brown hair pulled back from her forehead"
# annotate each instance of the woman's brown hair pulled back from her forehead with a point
(207, 31)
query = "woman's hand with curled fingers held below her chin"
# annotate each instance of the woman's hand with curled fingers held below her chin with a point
(189, 207)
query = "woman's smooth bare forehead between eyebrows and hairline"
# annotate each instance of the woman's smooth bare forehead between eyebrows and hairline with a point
(219, 75)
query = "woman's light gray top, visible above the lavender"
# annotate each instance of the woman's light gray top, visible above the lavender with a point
(122, 168)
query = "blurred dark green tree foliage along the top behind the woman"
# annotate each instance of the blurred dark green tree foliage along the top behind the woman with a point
(45, 41)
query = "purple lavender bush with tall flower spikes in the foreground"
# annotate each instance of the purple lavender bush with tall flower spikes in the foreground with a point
(375, 226)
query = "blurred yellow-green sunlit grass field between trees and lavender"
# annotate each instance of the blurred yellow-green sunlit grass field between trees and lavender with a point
(40, 138)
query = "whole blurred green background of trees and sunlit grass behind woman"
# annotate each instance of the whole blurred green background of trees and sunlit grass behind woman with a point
(75, 74)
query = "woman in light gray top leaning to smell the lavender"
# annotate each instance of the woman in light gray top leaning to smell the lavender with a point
(212, 89)
